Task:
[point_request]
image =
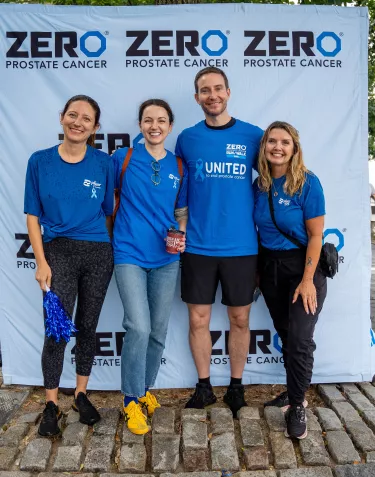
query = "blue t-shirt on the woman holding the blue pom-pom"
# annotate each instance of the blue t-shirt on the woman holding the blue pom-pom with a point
(71, 200)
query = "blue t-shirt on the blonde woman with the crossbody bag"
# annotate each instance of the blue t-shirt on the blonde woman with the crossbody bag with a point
(291, 212)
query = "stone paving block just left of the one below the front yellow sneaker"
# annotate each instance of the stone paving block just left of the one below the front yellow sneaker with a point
(99, 453)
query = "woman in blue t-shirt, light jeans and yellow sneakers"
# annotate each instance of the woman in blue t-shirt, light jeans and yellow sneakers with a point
(152, 199)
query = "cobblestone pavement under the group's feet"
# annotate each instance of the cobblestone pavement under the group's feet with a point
(340, 442)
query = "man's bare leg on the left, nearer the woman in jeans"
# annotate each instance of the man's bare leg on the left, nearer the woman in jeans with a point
(200, 338)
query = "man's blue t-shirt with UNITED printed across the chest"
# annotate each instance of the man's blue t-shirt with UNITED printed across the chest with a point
(220, 195)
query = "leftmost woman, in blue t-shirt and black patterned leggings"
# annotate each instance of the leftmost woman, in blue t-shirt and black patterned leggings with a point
(69, 192)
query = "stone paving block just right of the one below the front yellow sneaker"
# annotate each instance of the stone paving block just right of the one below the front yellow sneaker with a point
(165, 452)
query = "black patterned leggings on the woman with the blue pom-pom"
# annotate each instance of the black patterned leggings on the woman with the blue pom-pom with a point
(80, 269)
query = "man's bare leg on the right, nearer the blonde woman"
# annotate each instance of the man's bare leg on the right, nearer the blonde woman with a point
(239, 338)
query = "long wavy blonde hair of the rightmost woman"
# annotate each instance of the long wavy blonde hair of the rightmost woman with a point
(296, 172)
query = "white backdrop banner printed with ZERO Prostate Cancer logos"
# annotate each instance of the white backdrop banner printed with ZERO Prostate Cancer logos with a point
(305, 65)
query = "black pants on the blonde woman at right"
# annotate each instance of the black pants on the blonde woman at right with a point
(280, 274)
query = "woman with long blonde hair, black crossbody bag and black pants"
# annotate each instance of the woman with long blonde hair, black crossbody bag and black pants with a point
(291, 279)
